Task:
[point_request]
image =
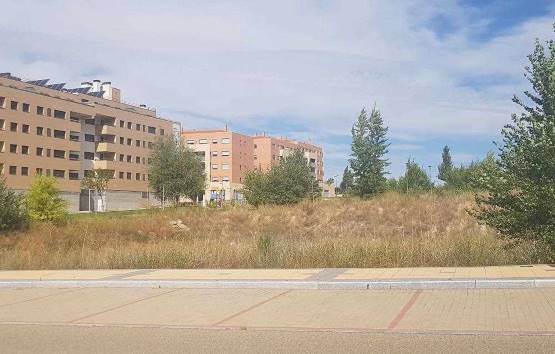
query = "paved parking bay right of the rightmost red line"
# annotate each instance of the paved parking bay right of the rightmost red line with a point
(496, 310)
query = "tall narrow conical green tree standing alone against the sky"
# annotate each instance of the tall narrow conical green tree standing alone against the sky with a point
(369, 147)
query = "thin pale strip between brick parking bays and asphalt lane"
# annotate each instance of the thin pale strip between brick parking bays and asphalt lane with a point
(429, 332)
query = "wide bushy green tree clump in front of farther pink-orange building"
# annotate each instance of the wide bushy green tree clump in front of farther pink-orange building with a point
(287, 183)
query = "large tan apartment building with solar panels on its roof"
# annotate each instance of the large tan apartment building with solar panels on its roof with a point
(51, 130)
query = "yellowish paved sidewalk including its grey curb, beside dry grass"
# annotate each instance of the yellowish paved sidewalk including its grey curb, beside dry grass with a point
(523, 276)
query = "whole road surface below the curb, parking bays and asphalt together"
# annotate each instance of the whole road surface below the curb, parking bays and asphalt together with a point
(275, 320)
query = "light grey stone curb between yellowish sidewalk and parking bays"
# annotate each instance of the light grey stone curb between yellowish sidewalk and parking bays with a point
(287, 284)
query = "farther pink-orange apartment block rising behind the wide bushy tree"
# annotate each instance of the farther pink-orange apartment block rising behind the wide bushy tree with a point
(269, 151)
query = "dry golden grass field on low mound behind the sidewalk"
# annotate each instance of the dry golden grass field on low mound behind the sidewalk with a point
(389, 231)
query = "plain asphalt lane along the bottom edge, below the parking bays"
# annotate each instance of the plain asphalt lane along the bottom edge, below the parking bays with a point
(86, 339)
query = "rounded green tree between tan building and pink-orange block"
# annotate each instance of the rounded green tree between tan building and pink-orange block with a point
(175, 170)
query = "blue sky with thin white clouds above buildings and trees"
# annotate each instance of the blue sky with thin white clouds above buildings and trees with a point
(441, 72)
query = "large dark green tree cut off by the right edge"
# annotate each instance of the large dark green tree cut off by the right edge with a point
(520, 185)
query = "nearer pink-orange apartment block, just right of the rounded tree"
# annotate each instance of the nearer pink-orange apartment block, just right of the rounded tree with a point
(227, 157)
